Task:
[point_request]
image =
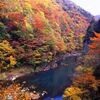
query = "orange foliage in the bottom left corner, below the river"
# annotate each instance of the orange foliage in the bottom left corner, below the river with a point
(15, 92)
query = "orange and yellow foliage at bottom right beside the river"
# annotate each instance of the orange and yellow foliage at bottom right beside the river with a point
(84, 85)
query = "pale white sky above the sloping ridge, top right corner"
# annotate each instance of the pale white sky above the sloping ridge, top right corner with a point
(92, 6)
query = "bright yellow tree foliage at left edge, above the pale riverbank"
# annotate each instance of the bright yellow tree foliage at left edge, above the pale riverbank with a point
(6, 55)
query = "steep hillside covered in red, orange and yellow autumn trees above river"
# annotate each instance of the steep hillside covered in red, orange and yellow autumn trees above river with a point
(35, 30)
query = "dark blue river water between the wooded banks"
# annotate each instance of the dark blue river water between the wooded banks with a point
(55, 80)
